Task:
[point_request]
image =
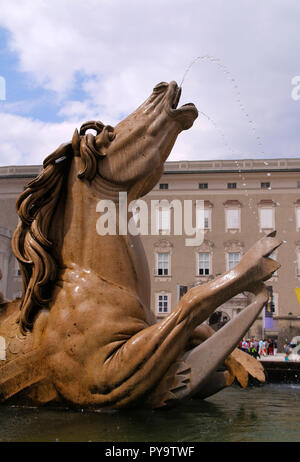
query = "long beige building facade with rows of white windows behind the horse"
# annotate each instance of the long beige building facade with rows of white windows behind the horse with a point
(242, 201)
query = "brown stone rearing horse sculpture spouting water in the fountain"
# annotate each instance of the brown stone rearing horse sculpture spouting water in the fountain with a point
(83, 333)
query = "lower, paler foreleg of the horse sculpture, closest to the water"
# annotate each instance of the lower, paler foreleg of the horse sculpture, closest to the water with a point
(200, 375)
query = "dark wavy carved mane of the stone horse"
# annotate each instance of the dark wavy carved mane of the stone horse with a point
(36, 207)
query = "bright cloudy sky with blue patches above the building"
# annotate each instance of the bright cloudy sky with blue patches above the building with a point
(63, 62)
